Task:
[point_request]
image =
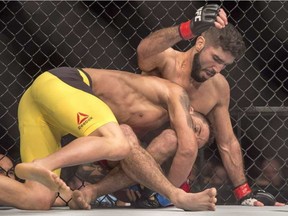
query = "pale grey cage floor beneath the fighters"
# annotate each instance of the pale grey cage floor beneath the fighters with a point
(220, 211)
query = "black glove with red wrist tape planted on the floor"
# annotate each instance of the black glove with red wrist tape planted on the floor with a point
(245, 196)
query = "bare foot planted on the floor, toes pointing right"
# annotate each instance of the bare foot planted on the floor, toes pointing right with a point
(202, 201)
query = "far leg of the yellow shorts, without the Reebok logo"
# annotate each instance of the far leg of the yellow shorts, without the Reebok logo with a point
(37, 138)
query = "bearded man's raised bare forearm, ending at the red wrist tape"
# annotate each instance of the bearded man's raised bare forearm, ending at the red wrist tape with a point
(158, 41)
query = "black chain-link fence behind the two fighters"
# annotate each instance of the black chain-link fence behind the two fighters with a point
(39, 35)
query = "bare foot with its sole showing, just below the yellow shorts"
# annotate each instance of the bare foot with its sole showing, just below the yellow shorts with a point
(34, 172)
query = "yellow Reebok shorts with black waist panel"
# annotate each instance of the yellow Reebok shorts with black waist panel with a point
(59, 102)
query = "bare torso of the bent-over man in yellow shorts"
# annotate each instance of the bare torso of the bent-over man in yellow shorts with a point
(137, 100)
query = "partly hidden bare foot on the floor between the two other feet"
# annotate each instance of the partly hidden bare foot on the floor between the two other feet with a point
(79, 200)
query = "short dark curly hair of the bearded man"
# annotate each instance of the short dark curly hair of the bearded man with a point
(228, 38)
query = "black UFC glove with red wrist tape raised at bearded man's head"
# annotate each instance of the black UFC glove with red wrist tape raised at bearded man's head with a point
(204, 18)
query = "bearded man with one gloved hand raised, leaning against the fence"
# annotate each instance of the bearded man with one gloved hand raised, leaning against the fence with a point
(198, 70)
